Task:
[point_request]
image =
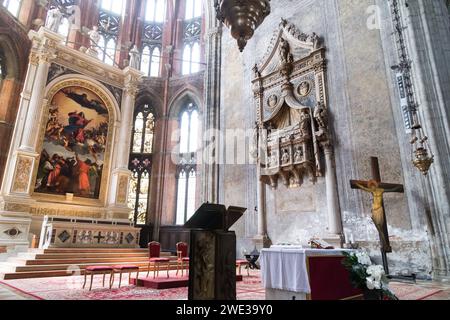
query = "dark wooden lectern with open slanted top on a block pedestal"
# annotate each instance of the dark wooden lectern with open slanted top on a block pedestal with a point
(212, 270)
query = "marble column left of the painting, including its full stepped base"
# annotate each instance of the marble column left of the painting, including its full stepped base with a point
(15, 196)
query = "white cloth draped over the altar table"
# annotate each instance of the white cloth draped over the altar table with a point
(283, 268)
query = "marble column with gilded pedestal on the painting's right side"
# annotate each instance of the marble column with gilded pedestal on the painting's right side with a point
(120, 180)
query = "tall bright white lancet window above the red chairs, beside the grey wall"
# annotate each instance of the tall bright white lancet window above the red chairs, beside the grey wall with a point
(187, 168)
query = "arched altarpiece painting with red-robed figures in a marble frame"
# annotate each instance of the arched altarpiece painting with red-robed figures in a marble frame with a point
(74, 145)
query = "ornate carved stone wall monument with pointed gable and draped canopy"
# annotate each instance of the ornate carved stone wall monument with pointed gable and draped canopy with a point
(291, 105)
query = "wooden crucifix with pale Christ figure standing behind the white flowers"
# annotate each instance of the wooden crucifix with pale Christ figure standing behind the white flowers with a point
(378, 188)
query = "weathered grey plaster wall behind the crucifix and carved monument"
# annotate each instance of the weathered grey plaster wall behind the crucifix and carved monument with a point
(366, 121)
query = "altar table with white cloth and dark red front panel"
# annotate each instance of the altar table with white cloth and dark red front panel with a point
(305, 274)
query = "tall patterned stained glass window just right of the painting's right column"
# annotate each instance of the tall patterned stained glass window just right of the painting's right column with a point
(141, 163)
